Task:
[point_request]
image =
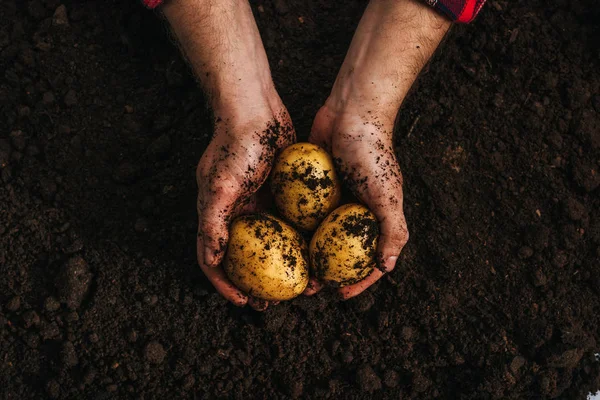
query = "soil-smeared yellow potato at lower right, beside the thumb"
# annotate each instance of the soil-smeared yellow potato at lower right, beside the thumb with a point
(342, 250)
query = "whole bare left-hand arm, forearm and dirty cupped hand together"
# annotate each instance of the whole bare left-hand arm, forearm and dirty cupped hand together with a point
(223, 46)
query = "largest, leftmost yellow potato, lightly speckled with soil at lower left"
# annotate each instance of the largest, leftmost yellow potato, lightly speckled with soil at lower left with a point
(266, 258)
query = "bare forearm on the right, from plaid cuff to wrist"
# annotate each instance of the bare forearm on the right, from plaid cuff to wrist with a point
(394, 40)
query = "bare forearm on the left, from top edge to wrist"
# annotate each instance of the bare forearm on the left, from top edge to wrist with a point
(222, 43)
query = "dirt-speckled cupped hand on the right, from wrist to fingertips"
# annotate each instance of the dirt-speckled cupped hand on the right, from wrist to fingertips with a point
(362, 149)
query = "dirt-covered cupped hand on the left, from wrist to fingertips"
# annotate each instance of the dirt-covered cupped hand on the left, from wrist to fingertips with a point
(234, 166)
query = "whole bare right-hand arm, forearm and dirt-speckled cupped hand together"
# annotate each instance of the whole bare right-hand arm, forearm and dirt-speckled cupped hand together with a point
(392, 43)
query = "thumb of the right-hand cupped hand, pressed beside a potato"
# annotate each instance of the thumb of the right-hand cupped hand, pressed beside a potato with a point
(392, 239)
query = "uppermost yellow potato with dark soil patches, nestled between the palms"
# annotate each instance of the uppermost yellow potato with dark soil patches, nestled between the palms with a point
(305, 185)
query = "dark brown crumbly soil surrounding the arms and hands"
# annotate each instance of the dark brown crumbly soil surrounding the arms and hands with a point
(496, 295)
